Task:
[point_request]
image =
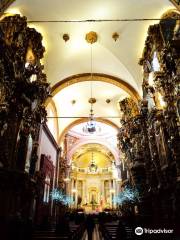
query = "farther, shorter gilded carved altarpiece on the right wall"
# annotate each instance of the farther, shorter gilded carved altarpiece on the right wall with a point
(133, 141)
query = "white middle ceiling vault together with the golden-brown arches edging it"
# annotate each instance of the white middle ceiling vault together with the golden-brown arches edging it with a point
(74, 92)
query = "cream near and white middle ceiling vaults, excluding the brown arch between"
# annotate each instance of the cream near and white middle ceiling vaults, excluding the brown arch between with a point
(118, 59)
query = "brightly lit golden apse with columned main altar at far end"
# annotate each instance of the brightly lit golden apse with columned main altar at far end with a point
(93, 169)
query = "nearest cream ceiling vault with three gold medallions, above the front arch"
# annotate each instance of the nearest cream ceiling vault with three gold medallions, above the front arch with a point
(119, 59)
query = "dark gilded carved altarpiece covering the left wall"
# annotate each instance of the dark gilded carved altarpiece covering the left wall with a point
(24, 89)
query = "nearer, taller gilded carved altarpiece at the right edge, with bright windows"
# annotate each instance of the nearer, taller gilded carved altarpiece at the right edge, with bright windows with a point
(161, 93)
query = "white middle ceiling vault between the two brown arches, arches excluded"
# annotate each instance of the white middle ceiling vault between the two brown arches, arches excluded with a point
(80, 93)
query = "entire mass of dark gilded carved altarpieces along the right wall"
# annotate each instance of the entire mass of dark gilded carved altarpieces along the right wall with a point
(149, 136)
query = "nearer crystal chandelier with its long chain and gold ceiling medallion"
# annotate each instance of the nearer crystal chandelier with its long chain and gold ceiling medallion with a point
(91, 126)
